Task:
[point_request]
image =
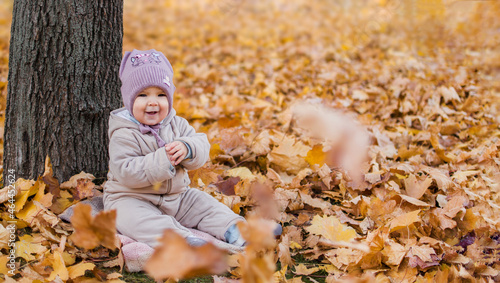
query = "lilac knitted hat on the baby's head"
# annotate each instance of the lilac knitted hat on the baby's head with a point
(142, 69)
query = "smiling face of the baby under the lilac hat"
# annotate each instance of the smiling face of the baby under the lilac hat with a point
(150, 106)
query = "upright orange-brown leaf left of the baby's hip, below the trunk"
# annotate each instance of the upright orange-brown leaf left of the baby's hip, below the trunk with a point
(91, 232)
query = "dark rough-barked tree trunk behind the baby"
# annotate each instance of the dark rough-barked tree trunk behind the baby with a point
(63, 82)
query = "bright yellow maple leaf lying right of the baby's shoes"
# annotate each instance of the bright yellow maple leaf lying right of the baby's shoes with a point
(331, 228)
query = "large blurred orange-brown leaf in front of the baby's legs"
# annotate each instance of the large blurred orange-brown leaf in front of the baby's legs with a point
(183, 260)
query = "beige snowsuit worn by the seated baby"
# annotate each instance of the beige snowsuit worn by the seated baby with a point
(136, 164)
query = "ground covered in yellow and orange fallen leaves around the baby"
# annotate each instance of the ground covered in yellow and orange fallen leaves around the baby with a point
(369, 130)
